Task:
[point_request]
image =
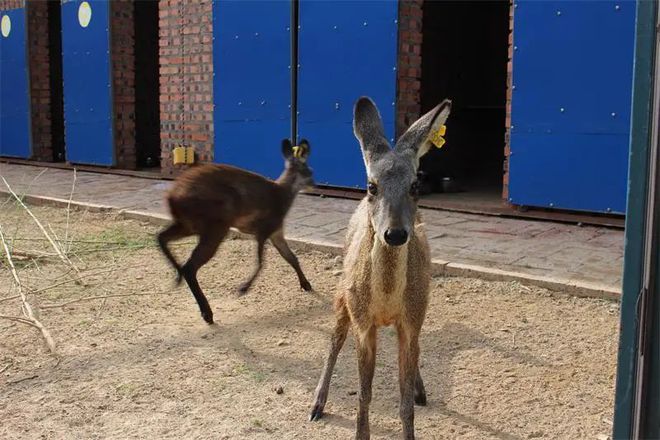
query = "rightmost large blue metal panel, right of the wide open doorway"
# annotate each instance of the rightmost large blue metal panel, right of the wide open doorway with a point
(572, 79)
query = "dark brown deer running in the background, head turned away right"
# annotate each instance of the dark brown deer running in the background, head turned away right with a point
(208, 199)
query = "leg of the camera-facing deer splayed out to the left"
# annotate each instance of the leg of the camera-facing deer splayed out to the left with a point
(336, 343)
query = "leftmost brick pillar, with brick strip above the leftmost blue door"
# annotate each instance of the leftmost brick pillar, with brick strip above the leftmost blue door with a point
(38, 63)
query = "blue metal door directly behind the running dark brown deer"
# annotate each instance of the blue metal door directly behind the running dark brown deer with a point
(251, 84)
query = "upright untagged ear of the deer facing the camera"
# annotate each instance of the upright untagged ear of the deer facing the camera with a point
(368, 129)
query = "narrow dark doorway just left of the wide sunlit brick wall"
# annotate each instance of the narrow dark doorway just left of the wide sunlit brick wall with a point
(147, 106)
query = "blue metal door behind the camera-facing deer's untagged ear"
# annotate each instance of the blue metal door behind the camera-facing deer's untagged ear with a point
(346, 50)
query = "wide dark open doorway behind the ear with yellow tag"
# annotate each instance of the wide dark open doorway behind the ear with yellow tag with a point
(464, 57)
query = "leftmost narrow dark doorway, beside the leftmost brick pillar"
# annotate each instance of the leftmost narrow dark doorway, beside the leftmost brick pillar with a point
(56, 83)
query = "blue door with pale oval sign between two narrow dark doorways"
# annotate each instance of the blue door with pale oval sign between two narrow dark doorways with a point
(88, 124)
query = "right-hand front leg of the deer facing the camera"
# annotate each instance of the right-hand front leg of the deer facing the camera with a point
(409, 379)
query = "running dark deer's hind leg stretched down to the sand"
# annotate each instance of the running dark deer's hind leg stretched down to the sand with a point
(205, 250)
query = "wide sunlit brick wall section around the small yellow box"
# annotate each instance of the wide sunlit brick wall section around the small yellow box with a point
(186, 79)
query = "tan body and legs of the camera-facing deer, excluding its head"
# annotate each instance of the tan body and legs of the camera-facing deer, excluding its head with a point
(382, 285)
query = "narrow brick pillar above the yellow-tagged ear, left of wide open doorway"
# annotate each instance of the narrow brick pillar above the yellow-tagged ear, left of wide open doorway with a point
(409, 64)
